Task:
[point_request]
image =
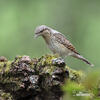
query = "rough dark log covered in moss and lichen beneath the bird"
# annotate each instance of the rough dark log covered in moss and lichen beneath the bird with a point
(34, 79)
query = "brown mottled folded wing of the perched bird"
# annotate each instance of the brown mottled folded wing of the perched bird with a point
(61, 39)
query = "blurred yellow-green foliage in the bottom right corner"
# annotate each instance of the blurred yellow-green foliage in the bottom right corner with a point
(87, 89)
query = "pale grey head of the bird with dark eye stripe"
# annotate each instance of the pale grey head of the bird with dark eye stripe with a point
(41, 30)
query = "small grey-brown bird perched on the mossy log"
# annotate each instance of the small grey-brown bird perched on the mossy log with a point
(58, 43)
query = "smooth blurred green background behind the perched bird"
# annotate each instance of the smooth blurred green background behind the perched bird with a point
(79, 20)
